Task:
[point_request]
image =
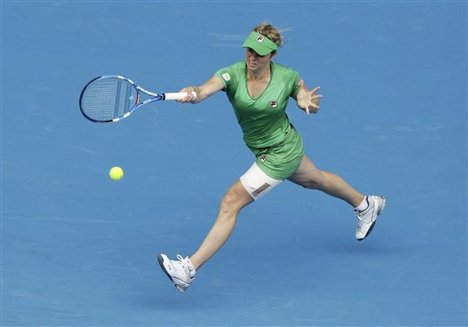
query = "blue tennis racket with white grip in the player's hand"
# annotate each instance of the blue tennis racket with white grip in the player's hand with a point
(111, 98)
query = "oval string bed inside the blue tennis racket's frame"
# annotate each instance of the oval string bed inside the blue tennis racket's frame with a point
(107, 99)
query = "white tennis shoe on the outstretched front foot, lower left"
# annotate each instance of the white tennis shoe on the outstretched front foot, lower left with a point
(181, 272)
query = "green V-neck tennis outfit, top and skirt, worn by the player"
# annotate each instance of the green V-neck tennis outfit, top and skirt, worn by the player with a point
(276, 144)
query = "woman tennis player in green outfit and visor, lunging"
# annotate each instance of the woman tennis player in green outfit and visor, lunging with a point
(258, 90)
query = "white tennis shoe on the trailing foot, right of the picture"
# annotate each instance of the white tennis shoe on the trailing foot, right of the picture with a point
(367, 217)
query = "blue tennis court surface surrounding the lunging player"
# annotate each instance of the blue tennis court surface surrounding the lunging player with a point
(78, 249)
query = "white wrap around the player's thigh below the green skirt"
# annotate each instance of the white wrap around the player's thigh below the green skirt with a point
(257, 183)
